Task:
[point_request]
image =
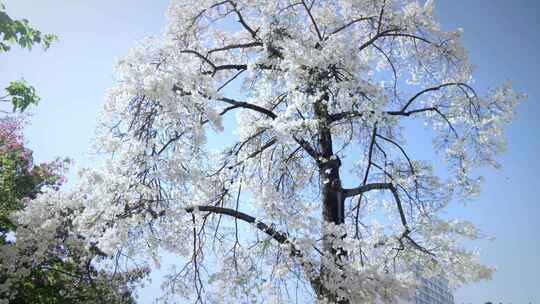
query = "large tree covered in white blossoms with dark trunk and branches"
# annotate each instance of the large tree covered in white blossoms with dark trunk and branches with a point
(314, 190)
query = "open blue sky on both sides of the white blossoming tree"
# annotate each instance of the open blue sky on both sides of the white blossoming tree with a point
(502, 37)
